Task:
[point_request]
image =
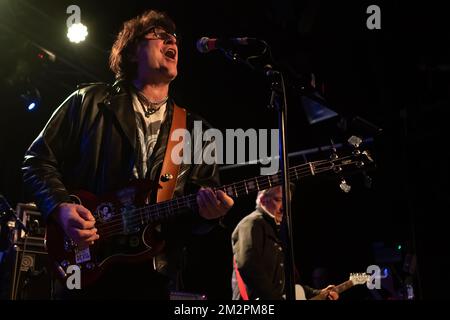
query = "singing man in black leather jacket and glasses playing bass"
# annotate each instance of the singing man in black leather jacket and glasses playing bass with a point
(103, 136)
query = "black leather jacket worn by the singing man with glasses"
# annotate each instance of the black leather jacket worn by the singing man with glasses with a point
(90, 144)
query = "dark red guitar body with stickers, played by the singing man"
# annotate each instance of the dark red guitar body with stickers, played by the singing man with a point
(125, 234)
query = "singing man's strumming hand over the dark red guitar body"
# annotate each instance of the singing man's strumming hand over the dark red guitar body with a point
(77, 222)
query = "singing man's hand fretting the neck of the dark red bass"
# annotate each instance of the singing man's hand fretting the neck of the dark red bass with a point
(213, 205)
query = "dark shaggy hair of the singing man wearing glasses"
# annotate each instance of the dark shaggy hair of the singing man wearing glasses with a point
(121, 59)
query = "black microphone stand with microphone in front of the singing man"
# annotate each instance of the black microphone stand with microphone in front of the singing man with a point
(278, 101)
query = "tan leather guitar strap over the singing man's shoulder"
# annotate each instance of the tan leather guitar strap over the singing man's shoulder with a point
(169, 170)
